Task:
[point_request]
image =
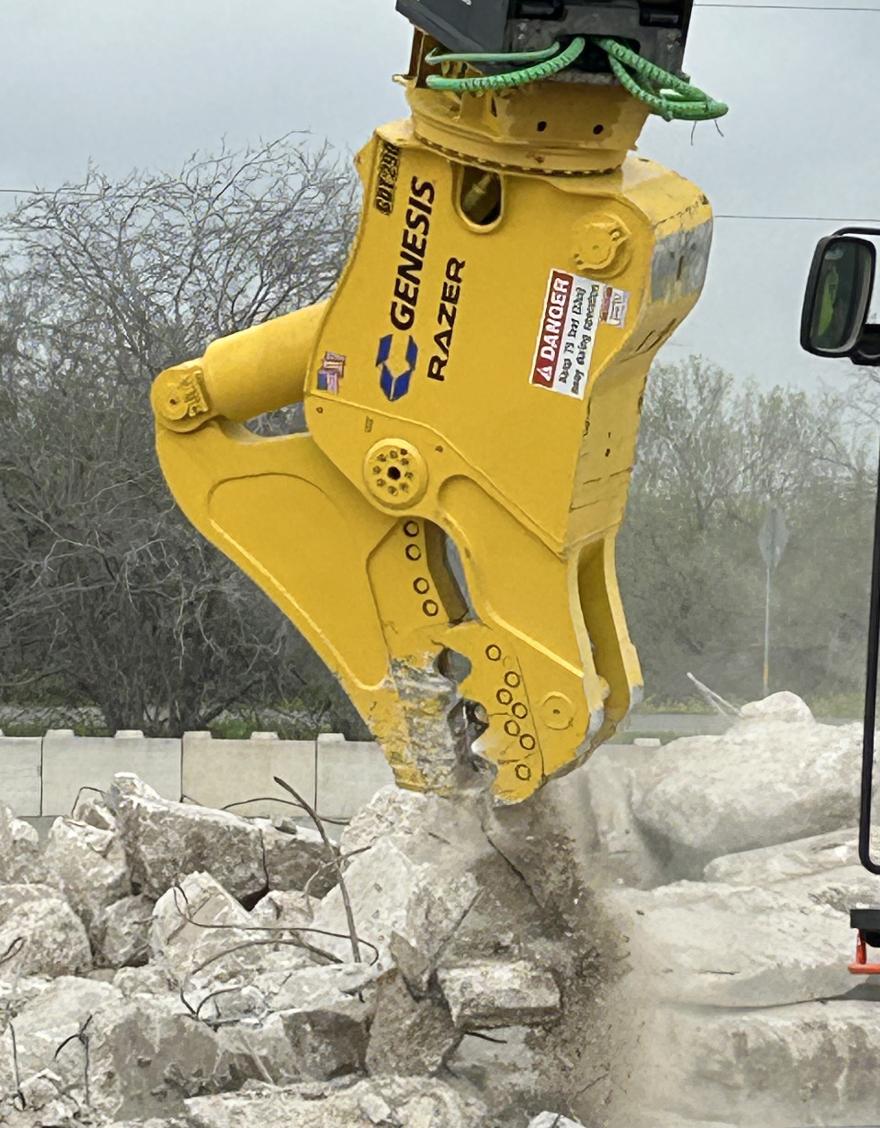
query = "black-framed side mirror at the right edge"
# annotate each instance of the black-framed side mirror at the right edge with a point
(839, 295)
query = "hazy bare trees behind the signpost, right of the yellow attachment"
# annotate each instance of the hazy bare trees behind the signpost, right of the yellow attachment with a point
(714, 454)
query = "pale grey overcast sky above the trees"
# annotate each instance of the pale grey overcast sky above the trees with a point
(147, 84)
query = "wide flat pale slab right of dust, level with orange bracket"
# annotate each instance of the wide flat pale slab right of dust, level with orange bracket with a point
(727, 946)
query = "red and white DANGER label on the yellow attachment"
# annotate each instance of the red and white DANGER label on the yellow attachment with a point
(573, 313)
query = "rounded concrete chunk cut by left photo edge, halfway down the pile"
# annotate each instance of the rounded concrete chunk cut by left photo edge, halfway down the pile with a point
(40, 935)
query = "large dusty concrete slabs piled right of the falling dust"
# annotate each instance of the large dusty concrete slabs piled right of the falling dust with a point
(735, 865)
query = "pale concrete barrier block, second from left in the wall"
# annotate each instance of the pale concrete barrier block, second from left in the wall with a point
(71, 763)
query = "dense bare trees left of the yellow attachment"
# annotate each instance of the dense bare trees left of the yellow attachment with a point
(107, 592)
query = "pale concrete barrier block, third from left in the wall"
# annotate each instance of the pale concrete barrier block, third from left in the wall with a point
(218, 773)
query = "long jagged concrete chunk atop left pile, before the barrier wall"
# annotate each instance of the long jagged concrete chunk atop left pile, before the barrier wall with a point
(164, 840)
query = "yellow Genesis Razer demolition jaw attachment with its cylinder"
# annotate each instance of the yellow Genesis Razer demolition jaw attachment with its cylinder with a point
(478, 377)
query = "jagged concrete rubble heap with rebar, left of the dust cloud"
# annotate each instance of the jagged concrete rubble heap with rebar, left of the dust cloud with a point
(168, 965)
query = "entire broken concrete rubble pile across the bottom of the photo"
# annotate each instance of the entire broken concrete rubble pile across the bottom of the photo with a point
(657, 941)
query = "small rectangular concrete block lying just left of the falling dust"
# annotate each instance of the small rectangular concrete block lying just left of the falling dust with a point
(488, 994)
